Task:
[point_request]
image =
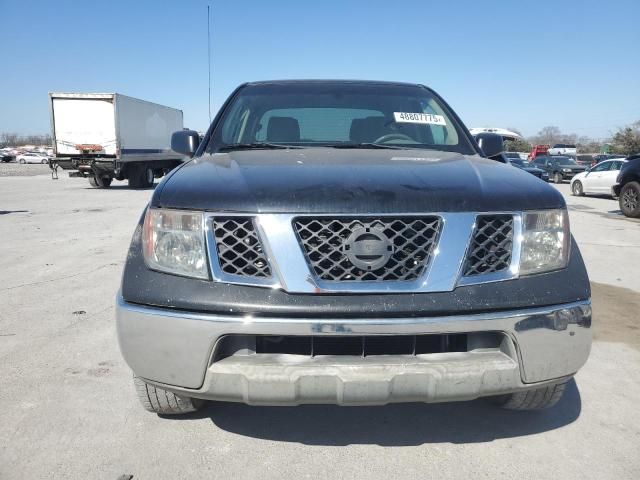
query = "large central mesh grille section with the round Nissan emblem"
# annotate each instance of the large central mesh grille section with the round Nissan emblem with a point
(399, 247)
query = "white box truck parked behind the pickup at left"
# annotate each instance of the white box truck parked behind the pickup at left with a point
(102, 136)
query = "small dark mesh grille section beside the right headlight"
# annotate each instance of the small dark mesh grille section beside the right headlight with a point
(491, 245)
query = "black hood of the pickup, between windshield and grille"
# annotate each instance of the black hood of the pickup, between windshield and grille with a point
(328, 180)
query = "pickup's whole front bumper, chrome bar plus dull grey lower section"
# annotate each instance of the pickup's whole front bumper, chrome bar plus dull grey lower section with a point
(175, 350)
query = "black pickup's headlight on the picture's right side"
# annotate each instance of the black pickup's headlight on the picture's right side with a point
(545, 241)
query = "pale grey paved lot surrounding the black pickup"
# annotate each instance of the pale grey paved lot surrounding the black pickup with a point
(69, 410)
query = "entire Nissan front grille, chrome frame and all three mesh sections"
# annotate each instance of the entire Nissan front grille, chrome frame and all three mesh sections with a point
(317, 254)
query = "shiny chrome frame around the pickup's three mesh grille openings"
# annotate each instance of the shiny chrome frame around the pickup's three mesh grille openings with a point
(291, 272)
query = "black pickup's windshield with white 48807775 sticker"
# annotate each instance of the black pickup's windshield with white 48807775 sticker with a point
(314, 114)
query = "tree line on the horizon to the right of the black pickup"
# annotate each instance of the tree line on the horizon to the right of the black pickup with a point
(626, 141)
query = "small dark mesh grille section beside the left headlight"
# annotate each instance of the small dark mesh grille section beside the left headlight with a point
(239, 249)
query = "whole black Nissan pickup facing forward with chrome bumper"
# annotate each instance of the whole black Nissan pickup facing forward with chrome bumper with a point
(348, 242)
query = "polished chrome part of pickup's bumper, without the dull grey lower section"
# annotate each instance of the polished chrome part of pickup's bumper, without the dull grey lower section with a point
(174, 348)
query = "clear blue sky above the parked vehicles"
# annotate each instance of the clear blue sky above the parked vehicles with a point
(523, 64)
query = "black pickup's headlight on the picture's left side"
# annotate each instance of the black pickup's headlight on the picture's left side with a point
(173, 242)
